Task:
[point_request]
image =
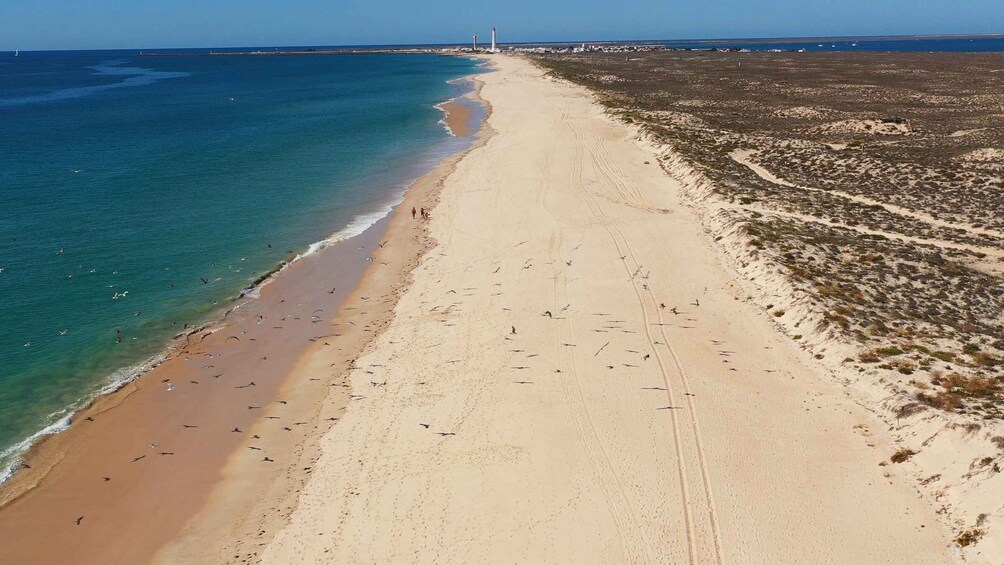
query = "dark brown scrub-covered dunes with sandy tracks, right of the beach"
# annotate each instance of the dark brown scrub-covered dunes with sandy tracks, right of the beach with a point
(876, 181)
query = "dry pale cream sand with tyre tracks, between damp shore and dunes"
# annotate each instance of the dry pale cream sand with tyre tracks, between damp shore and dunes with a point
(726, 445)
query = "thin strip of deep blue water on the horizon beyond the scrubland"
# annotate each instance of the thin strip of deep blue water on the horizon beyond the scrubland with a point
(923, 45)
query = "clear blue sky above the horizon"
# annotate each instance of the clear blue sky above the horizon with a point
(89, 25)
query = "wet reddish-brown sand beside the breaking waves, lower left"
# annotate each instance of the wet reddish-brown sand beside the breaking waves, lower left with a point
(139, 466)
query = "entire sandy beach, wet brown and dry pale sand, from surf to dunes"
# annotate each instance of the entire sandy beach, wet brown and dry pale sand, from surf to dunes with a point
(560, 367)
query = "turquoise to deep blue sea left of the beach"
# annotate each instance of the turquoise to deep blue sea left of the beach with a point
(140, 194)
